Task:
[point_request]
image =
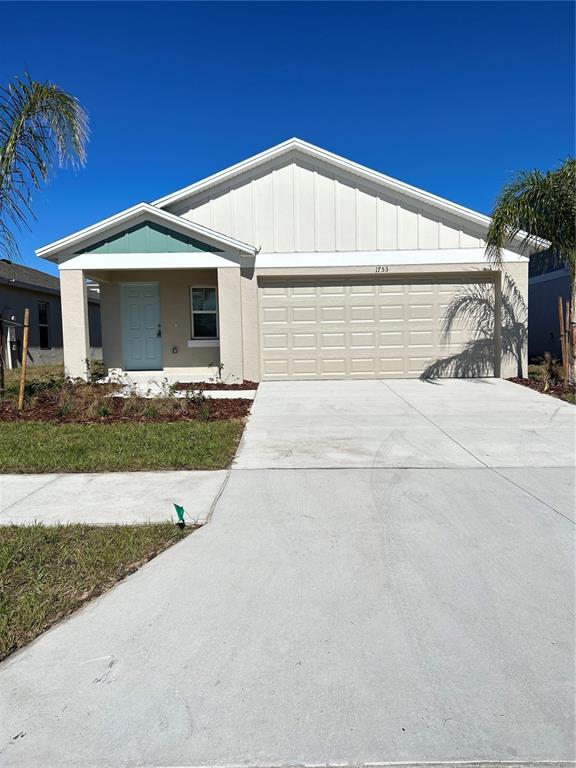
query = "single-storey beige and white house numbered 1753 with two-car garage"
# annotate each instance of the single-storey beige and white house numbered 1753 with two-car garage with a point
(293, 264)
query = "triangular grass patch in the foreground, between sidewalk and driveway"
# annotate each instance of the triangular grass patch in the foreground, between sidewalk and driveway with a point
(47, 572)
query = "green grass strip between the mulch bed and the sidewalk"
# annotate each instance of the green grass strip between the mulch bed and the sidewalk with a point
(39, 446)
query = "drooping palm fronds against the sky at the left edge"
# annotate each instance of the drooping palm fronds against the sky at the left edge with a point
(40, 126)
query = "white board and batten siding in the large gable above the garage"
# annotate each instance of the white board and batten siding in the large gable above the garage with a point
(301, 208)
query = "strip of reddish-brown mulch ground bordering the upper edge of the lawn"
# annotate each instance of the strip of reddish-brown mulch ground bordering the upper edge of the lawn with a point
(117, 409)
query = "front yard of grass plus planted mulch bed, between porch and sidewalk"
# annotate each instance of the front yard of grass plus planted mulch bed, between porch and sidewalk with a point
(74, 426)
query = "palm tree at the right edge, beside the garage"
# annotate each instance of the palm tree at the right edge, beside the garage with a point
(540, 206)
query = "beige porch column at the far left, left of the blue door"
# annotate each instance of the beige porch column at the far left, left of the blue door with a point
(75, 333)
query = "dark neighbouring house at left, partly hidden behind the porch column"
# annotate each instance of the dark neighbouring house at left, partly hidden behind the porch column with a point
(25, 288)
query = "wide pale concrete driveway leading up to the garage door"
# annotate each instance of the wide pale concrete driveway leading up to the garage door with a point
(387, 577)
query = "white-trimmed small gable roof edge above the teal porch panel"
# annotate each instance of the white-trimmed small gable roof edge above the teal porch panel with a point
(140, 211)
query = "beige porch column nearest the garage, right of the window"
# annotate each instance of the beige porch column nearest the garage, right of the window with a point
(230, 318)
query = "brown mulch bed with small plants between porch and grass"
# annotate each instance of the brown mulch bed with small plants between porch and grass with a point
(44, 409)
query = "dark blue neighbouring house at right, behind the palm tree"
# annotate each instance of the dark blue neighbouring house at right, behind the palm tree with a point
(548, 281)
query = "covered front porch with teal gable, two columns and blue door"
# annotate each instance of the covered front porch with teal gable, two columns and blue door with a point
(170, 292)
